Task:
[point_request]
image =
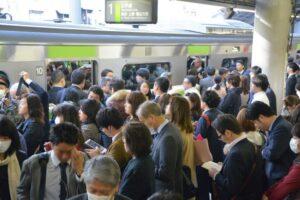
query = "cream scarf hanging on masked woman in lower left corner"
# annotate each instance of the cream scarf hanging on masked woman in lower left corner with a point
(14, 173)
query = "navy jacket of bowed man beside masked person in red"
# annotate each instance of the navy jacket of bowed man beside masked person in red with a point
(277, 152)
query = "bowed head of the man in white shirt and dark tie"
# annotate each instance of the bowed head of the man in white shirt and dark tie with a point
(64, 138)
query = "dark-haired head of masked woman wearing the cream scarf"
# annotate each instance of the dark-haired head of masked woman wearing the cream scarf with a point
(9, 137)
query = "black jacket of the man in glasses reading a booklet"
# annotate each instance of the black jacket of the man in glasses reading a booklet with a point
(237, 167)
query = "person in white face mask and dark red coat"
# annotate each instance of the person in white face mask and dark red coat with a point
(289, 186)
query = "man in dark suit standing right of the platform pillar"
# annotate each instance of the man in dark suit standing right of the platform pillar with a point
(291, 81)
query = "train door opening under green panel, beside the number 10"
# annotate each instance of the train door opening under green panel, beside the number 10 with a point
(67, 67)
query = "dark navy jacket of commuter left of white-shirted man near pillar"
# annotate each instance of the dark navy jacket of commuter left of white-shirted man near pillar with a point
(231, 103)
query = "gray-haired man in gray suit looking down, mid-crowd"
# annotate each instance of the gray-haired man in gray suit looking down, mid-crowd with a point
(166, 149)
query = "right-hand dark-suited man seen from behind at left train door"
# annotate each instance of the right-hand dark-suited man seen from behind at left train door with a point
(78, 82)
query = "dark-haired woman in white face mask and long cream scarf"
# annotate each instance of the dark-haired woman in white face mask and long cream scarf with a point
(11, 159)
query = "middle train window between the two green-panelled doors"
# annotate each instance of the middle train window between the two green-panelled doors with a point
(155, 69)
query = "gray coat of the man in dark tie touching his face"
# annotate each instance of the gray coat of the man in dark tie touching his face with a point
(29, 187)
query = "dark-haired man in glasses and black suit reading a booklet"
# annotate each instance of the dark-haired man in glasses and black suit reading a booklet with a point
(241, 175)
